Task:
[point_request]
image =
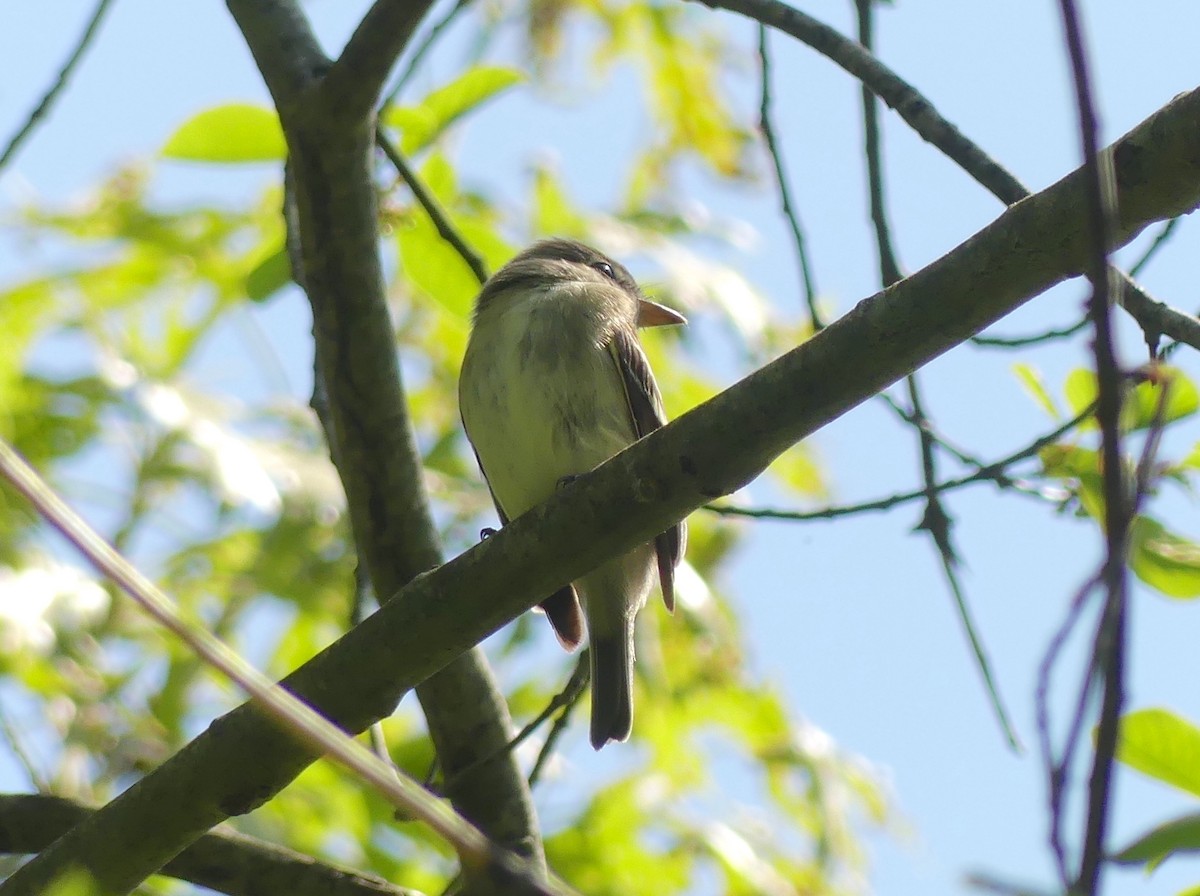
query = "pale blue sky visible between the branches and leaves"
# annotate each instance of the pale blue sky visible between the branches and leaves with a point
(853, 620)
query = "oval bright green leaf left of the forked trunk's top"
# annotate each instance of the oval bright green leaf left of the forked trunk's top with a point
(232, 134)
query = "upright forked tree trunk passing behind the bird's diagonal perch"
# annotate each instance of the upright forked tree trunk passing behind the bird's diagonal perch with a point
(334, 218)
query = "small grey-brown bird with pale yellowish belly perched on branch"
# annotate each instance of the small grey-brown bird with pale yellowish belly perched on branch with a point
(554, 383)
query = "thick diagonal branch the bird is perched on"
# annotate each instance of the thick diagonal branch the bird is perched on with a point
(711, 452)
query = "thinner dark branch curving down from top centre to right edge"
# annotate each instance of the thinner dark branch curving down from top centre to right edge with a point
(1155, 318)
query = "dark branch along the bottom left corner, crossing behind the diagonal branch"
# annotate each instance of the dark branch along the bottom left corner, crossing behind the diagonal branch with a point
(225, 862)
